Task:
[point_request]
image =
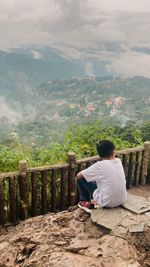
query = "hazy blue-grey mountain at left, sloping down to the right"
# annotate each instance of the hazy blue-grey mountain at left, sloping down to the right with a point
(34, 66)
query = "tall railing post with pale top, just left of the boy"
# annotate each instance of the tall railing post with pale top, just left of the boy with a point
(71, 179)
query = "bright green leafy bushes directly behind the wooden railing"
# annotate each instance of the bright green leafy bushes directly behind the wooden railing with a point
(79, 139)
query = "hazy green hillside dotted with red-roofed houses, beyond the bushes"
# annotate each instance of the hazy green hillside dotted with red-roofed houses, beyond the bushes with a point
(37, 113)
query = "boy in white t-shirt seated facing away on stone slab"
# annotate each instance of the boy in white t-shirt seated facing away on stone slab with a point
(104, 182)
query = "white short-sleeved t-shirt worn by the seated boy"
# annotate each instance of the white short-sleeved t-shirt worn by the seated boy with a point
(110, 179)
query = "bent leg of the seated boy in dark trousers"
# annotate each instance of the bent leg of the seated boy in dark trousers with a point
(86, 189)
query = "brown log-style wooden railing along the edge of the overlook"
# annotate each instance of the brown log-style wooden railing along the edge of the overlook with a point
(34, 191)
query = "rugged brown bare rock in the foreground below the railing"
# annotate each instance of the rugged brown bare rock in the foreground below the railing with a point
(70, 239)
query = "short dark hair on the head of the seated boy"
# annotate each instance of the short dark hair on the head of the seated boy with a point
(105, 148)
